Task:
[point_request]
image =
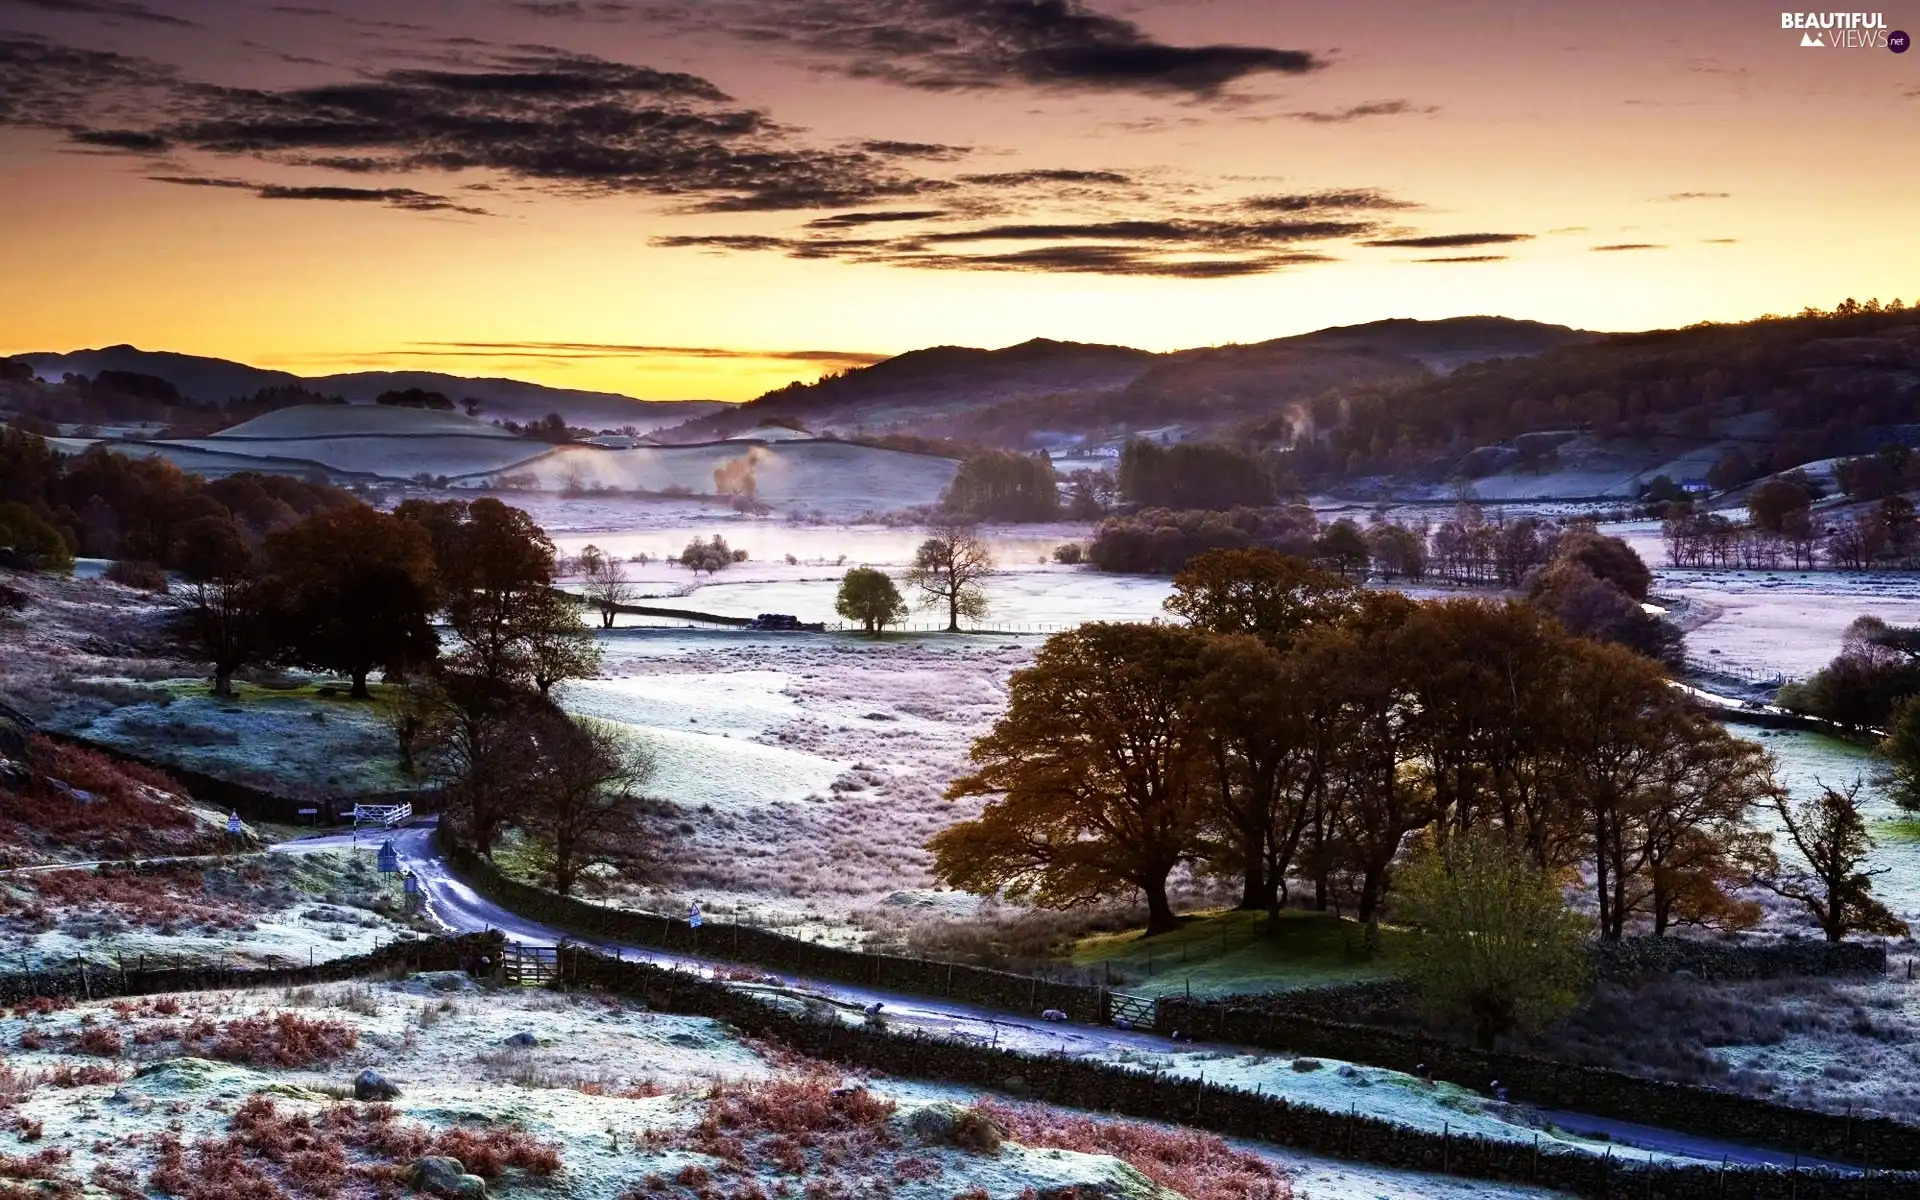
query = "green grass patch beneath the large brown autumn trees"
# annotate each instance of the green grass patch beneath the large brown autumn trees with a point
(1224, 953)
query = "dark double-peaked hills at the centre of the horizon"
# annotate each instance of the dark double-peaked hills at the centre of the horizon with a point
(1065, 393)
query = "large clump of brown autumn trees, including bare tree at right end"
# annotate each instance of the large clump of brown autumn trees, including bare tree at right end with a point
(1299, 732)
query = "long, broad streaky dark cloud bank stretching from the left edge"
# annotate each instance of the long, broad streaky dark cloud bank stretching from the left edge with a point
(542, 120)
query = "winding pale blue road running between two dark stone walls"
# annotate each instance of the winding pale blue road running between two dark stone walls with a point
(460, 909)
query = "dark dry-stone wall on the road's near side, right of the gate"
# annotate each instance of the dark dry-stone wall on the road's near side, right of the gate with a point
(1226, 1111)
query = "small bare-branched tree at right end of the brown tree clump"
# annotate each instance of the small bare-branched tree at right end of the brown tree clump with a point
(1835, 886)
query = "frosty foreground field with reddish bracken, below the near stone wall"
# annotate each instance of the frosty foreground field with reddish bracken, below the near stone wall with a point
(542, 1093)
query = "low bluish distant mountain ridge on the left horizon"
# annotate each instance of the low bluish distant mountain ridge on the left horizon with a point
(218, 381)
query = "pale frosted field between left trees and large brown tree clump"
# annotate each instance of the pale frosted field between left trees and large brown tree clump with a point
(809, 771)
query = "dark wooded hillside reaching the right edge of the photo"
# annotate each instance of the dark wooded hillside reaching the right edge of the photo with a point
(1708, 402)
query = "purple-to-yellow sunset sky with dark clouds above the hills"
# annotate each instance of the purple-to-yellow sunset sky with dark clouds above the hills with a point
(711, 199)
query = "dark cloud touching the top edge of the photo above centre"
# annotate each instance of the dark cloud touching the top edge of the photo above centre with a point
(972, 45)
